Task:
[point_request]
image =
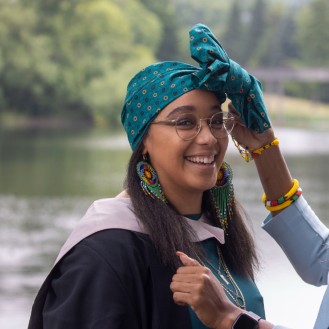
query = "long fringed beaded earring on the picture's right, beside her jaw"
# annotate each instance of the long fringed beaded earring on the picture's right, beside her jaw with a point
(223, 195)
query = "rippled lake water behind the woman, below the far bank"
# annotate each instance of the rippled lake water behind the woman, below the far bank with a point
(48, 180)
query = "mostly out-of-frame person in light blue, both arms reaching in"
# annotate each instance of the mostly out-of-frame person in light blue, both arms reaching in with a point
(291, 222)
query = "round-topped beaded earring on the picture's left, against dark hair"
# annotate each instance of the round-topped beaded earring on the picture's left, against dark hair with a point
(149, 180)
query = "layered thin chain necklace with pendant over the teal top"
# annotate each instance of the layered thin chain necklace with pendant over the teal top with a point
(236, 294)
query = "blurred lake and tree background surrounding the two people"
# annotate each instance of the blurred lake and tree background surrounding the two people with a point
(64, 67)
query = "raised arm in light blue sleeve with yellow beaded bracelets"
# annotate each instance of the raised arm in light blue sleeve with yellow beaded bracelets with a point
(295, 227)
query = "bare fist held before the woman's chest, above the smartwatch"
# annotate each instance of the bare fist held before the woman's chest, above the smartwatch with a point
(196, 286)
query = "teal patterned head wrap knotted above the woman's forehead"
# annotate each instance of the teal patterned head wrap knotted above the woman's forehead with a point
(159, 84)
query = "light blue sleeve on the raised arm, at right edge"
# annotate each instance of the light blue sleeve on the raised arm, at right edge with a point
(304, 239)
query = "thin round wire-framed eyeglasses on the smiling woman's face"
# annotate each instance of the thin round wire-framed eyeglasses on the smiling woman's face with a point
(188, 125)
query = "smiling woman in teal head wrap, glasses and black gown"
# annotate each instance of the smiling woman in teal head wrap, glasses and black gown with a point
(115, 269)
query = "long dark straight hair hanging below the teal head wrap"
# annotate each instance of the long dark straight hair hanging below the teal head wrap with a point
(170, 233)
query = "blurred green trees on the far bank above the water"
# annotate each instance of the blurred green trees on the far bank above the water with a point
(73, 58)
